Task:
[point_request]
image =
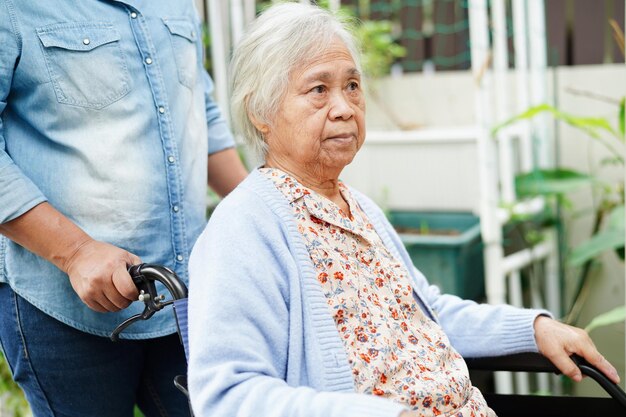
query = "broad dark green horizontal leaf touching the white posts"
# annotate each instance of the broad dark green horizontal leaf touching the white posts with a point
(551, 182)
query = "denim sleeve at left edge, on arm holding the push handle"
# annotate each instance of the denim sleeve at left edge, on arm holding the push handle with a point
(18, 194)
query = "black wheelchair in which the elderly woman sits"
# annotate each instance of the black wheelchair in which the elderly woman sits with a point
(145, 277)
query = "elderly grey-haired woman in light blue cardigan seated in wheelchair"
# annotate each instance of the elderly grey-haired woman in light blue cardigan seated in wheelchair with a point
(303, 300)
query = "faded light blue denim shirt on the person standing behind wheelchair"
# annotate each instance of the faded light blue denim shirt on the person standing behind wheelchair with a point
(106, 113)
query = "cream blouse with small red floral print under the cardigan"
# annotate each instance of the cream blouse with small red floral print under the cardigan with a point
(394, 349)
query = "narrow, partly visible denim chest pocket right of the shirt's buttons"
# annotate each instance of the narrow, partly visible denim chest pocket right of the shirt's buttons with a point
(184, 40)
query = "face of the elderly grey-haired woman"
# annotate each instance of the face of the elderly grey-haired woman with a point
(320, 124)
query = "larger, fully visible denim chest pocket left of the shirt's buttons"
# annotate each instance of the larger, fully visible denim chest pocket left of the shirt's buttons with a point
(85, 63)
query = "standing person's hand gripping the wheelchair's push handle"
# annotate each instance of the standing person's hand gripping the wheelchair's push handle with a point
(98, 273)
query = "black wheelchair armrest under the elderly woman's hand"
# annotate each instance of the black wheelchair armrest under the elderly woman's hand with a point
(535, 362)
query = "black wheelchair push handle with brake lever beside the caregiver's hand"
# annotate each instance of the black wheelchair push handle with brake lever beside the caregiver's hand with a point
(144, 276)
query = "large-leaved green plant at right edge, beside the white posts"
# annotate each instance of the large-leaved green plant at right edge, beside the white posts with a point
(555, 184)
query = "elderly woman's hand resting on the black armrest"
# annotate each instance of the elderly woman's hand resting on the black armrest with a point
(557, 341)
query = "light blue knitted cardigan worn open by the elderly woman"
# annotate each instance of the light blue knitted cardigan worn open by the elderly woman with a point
(262, 341)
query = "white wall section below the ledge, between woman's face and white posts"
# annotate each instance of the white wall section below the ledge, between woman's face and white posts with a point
(428, 175)
